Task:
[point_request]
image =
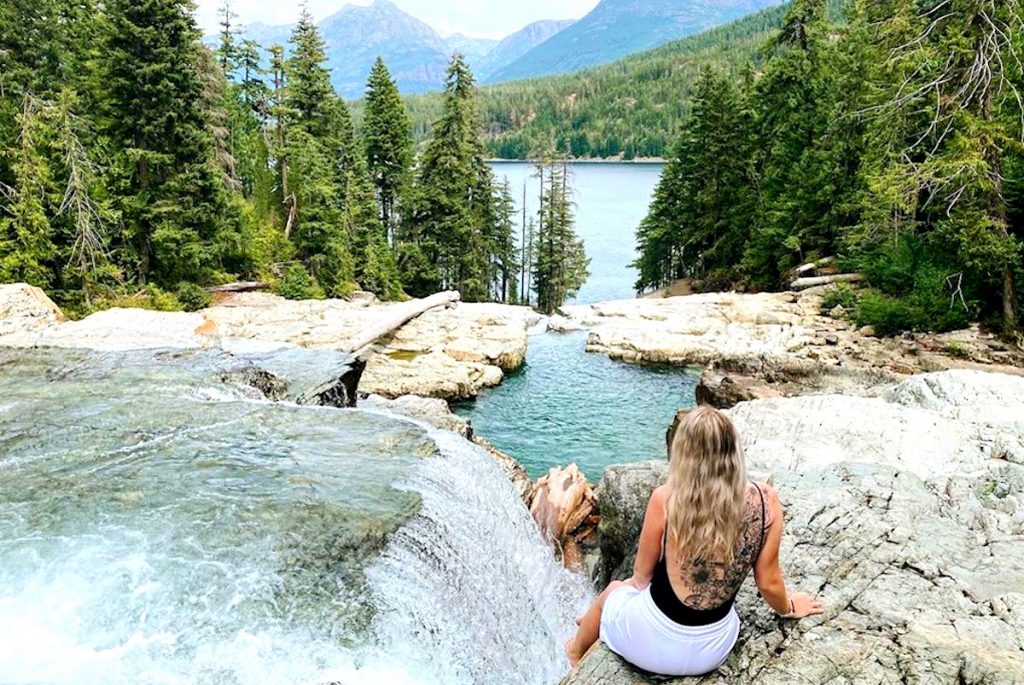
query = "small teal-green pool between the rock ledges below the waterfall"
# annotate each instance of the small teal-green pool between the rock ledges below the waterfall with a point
(567, 407)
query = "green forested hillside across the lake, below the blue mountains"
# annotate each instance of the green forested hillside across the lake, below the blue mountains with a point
(632, 108)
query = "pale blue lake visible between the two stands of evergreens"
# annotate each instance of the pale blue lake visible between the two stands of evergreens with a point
(611, 202)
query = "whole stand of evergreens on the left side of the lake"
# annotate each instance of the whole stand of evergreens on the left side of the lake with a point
(134, 170)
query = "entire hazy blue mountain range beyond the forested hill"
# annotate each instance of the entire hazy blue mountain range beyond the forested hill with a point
(418, 57)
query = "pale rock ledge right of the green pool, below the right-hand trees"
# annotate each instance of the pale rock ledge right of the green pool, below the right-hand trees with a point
(773, 345)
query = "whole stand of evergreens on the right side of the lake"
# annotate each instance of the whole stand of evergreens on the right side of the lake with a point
(892, 142)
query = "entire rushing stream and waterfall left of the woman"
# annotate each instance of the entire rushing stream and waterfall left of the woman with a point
(157, 526)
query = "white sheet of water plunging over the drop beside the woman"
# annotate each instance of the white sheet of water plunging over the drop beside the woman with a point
(468, 591)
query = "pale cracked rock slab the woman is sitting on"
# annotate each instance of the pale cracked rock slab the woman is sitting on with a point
(905, 513)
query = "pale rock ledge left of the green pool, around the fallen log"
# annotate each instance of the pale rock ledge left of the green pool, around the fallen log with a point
(449, 354)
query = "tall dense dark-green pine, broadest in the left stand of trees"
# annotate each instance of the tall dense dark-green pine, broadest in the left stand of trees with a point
(172, 200)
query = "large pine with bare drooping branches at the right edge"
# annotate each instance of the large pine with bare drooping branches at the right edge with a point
(951, 172)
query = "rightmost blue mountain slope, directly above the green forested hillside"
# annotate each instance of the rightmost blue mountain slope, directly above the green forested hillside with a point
(618, 28)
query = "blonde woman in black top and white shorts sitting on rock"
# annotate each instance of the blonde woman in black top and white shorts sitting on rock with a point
(704, 532)
